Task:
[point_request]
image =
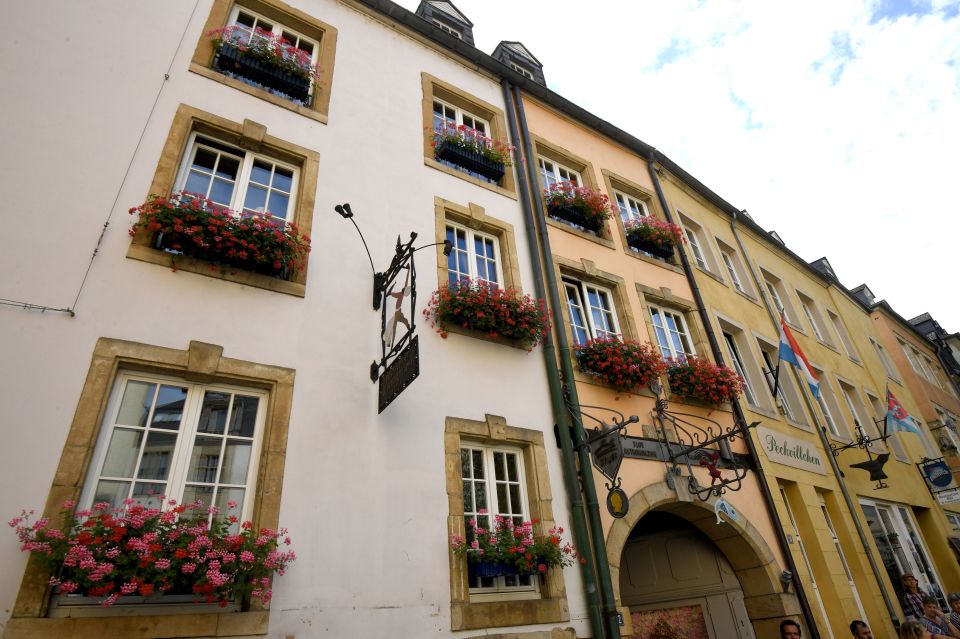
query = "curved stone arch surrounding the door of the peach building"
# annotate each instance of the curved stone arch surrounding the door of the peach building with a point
(748, 553)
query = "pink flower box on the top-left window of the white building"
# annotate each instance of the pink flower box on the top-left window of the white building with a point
(265, 59)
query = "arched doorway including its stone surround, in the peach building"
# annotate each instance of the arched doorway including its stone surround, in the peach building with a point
(733, 562)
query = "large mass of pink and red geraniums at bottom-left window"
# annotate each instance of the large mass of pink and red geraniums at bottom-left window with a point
(134, 550)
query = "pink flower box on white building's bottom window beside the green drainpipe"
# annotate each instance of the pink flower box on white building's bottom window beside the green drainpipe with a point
(511, 548)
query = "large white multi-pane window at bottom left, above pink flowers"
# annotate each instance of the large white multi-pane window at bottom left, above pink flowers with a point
(185, 441)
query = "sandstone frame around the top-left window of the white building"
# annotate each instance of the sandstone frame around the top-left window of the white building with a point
(293, 19)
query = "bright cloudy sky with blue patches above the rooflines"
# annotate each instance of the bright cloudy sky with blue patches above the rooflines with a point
(835, 123)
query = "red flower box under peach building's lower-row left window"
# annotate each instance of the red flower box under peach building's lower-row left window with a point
(624, 365)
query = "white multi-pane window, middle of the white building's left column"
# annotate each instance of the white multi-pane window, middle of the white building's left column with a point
(243, 181)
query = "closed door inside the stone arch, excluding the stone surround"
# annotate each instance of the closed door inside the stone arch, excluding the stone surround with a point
(676, 583)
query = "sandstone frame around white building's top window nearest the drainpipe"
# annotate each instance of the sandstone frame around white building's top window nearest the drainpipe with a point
(435, 87)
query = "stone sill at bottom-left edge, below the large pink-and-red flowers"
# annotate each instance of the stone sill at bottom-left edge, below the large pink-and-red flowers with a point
(141, 626)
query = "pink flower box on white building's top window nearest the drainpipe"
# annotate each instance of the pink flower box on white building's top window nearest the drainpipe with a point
(471, 150)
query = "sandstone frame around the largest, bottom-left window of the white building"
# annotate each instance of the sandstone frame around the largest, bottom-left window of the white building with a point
(200, 362)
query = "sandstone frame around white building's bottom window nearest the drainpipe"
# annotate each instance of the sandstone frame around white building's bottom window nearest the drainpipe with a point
(551, 606)
